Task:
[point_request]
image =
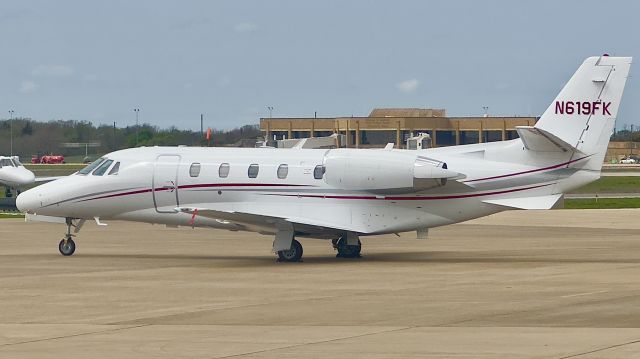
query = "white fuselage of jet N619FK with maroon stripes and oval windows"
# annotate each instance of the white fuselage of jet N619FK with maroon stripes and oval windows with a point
(151, 185)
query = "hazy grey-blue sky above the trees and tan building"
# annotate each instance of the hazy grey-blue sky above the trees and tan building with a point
(98, 60)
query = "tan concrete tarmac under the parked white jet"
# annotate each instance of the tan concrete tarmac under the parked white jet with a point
(554, 284)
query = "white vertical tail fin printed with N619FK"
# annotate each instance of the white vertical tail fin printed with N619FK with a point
(584, 113)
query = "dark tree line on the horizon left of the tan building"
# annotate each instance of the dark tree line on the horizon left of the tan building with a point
(31, 138)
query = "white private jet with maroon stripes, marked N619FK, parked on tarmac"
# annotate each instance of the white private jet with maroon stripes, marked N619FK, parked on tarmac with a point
(345, 194)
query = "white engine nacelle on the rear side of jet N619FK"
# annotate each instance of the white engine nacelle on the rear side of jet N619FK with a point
(384, 171)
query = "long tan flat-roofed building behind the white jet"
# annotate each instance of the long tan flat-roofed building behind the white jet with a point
(384, 126)
